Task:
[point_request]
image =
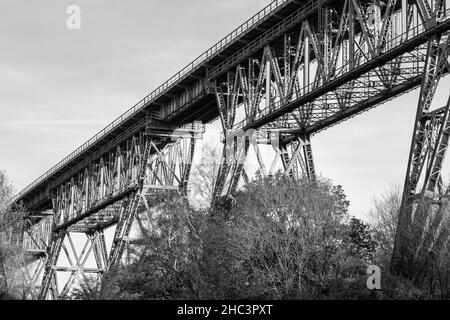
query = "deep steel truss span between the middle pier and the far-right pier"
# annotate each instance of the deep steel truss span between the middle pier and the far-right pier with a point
(352, 58)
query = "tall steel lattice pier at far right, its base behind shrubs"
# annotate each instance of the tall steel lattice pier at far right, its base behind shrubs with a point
(424, 214)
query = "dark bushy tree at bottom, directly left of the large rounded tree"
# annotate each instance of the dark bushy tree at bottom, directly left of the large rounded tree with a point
(168, 263)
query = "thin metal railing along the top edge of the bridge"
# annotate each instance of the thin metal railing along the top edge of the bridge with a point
(246, 26)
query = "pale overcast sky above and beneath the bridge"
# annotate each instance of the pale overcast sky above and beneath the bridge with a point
(60, 87)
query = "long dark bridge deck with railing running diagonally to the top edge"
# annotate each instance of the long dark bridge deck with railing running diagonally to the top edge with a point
(132, 119)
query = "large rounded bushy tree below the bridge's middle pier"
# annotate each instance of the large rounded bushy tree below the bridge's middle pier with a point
(281, 240)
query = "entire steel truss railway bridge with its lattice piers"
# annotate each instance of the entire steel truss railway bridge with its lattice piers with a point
(294, 69)
